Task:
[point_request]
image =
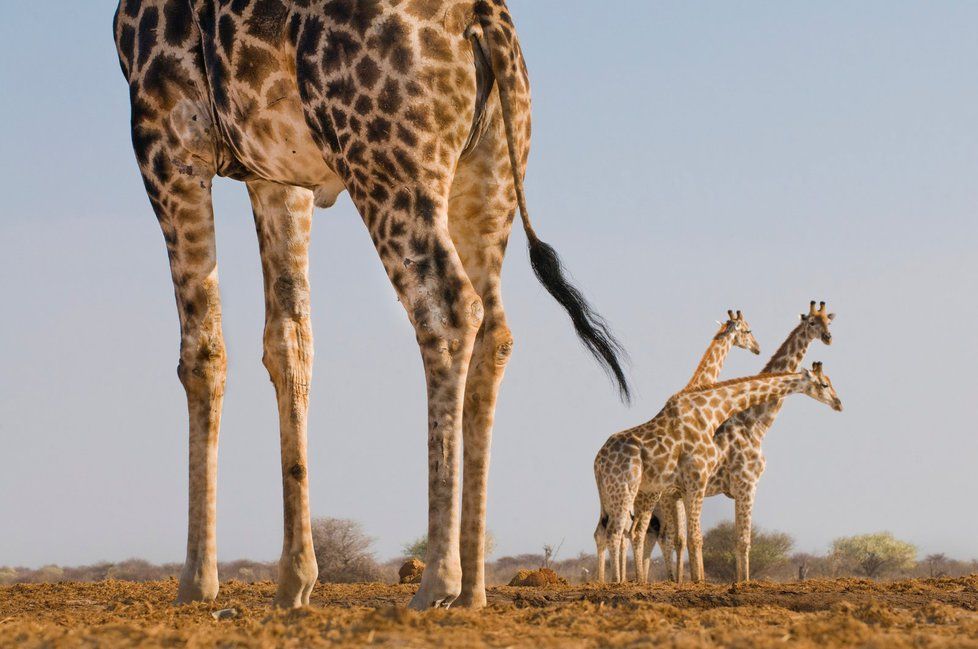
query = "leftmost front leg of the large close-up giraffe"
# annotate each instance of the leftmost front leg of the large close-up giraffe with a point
(175, 159)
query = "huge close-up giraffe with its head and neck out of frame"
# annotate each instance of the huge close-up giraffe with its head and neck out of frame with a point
(420, 110)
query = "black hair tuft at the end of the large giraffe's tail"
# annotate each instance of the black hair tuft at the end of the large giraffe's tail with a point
(591, 327)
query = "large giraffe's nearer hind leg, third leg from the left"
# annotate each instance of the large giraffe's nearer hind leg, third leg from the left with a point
(447, 313)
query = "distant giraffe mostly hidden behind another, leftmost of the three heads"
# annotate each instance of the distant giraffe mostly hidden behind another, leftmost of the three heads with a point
(735, 332)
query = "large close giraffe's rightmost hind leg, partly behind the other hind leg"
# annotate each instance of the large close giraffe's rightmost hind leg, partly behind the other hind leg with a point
(480, 214)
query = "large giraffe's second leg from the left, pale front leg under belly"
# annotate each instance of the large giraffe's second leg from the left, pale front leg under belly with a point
(283, 219)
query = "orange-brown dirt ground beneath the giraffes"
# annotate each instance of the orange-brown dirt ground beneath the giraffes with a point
(818, 613)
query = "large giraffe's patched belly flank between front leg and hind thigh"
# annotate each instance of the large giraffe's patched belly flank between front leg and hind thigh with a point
(250, 67)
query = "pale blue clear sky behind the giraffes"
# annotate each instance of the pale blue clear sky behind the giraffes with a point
(688, 158)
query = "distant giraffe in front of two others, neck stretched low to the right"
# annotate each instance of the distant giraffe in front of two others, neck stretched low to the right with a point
(676, 450)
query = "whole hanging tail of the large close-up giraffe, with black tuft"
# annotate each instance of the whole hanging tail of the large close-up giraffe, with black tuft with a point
(488, 35)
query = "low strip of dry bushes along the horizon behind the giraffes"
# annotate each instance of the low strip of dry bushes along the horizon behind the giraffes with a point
(344, 553)
